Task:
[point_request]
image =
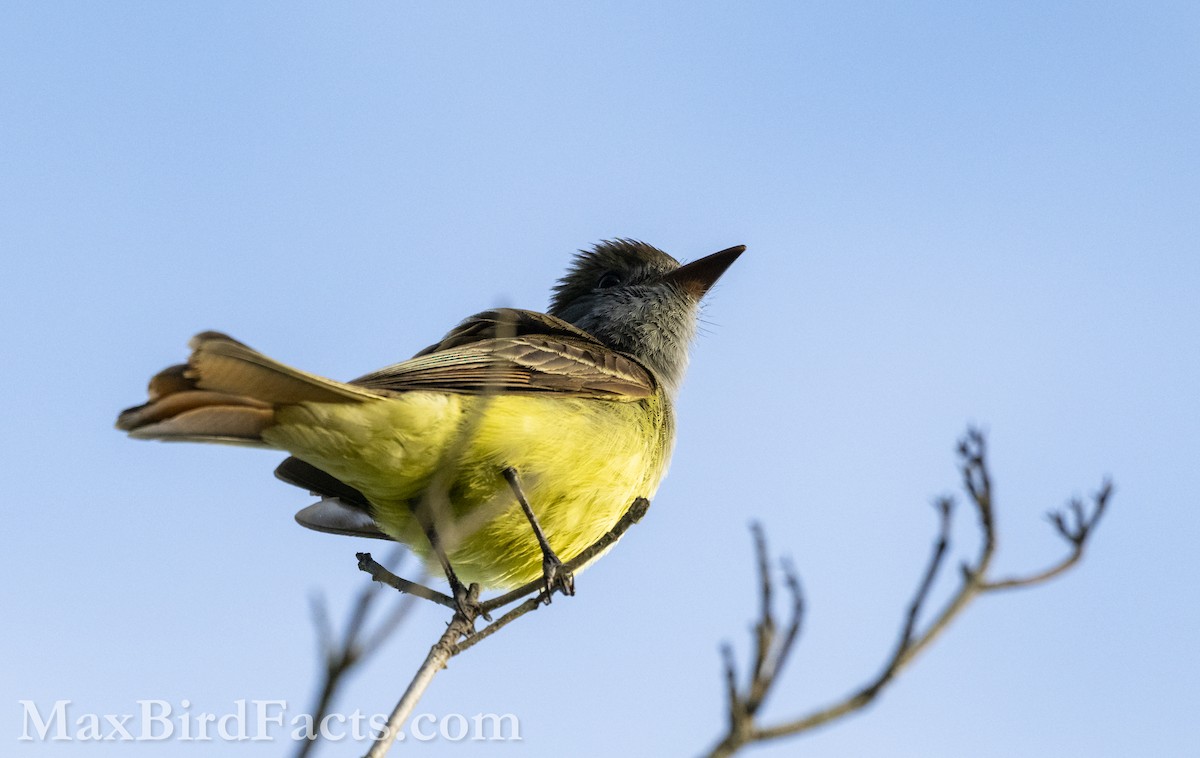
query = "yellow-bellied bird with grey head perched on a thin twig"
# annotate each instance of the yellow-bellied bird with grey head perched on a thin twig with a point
(514, 443)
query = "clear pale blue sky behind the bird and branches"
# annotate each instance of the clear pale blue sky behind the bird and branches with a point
(956, 214)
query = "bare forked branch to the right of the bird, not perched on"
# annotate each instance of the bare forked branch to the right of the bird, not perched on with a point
(1076, 525)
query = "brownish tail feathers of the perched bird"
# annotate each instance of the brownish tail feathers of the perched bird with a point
(227, 393)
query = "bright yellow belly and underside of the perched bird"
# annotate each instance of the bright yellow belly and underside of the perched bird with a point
(581, 464)
